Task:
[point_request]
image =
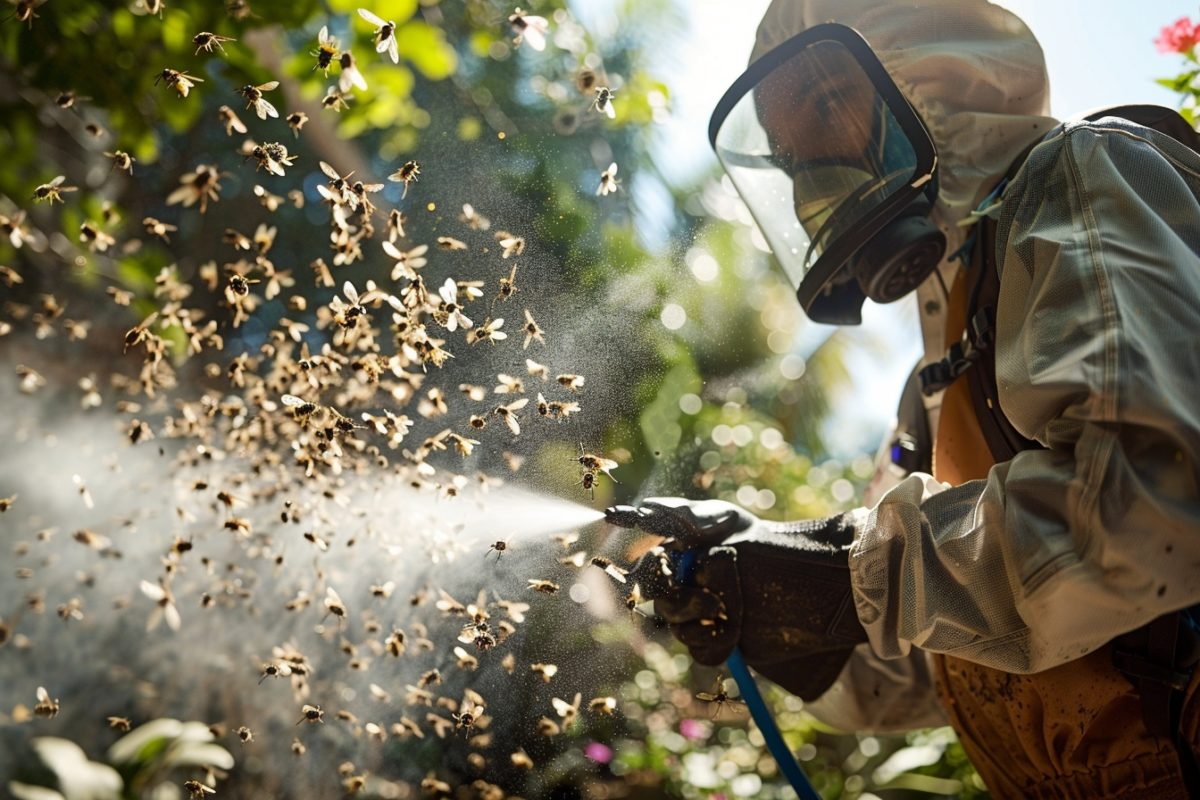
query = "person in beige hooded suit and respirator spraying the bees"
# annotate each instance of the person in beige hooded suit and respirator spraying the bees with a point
(1033, 600)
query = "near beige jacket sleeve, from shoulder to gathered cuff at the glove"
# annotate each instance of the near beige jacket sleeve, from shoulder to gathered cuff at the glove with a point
(1061, 550)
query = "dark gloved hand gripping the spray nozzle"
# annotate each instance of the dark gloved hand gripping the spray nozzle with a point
(778, 591)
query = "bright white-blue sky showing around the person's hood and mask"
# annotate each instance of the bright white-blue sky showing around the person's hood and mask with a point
(1099, 53)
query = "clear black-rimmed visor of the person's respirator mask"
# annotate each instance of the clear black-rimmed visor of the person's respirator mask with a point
(824, 149)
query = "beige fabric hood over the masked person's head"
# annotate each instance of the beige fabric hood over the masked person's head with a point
(971, 70)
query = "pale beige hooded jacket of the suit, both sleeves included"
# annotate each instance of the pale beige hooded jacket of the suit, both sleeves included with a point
(1061, 550)
